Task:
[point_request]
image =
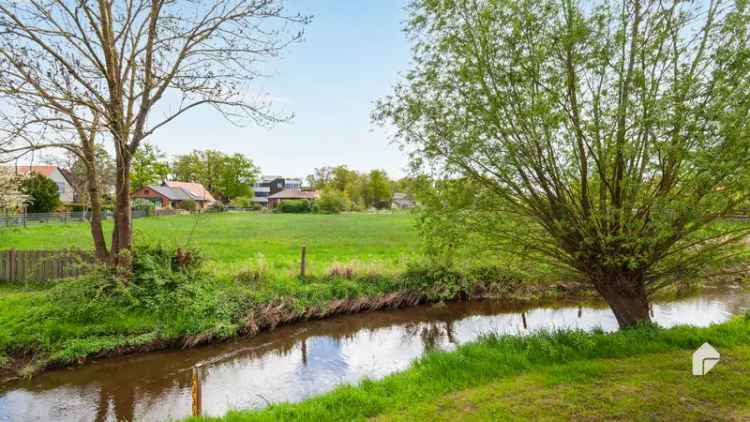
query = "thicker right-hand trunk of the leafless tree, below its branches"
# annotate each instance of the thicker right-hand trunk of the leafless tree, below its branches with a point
(122, 235)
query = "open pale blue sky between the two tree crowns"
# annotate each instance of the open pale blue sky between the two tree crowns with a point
(352, 54)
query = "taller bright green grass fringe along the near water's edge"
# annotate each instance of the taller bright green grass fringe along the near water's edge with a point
(495, 358)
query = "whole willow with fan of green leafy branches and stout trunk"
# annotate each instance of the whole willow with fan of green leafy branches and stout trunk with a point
(617, 130)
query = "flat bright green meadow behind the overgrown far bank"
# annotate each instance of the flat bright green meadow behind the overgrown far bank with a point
(228, 240)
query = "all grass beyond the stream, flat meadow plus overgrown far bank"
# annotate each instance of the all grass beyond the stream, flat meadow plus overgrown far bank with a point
(248, 282)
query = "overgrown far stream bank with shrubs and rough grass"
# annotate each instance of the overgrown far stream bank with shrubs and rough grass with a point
(168, 301)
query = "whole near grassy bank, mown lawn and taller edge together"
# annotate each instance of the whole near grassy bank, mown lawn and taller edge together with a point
(635, 374)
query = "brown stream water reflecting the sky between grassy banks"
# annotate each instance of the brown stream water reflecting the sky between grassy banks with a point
(297, 361)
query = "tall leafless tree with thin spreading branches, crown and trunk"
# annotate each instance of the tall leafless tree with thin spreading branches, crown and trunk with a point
(123, 69)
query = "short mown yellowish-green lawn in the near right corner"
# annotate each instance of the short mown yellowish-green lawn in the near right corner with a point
(655, 387)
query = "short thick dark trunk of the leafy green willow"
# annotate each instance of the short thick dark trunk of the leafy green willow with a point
(627, 297)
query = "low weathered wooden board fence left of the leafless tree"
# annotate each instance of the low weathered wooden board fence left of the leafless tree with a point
(35, 266)
